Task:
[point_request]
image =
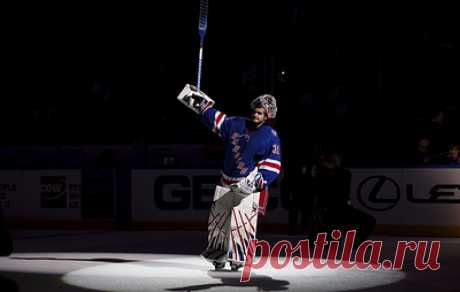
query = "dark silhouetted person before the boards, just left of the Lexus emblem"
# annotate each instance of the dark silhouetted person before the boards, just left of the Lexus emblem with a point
(331, 195)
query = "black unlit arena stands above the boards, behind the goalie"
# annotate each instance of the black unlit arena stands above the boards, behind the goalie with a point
(365, 78)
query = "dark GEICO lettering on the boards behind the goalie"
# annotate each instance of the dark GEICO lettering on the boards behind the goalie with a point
(179, 192)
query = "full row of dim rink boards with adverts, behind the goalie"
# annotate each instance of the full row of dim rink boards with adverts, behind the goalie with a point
(413, 198)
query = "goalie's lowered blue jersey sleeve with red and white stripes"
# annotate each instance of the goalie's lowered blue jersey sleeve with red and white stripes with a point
(270, 165)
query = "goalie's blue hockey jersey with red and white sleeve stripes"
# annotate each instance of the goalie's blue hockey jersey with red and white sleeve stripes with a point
(246, 148)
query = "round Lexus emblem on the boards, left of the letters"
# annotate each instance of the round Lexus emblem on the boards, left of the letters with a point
(379, 193)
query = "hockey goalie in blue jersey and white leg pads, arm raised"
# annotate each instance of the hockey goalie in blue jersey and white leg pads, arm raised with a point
(252, 161)
